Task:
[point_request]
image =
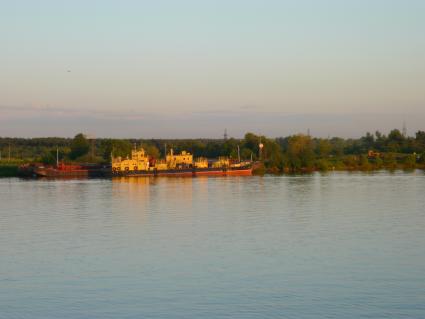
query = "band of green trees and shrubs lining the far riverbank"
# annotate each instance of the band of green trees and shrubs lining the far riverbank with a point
(295, 153)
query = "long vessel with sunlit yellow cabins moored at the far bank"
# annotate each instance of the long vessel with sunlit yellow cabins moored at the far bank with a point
(183, 164)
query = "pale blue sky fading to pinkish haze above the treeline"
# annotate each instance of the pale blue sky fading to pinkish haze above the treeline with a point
(164, 69)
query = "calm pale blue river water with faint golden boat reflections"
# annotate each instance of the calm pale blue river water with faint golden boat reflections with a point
(339, 245)
